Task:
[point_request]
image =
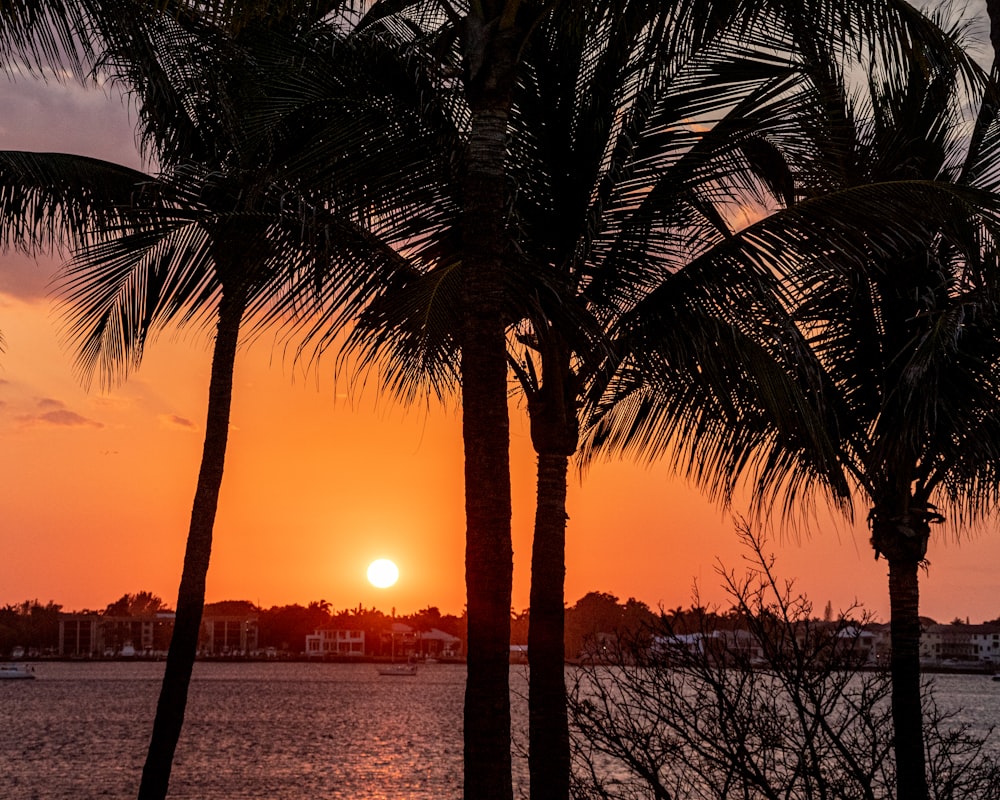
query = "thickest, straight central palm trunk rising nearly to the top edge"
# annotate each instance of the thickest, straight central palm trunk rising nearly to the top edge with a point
(489, 554)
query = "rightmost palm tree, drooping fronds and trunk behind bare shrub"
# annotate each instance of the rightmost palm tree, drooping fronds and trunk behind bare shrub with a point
(880, 377)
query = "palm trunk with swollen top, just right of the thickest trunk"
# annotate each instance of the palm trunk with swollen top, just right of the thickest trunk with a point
(554, 435)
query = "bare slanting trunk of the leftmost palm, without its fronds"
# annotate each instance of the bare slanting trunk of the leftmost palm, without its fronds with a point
(191, 595)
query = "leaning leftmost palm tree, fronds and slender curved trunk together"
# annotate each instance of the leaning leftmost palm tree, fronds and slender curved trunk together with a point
(216, 235)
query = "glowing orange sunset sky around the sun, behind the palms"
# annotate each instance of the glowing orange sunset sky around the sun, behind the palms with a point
(95, 488)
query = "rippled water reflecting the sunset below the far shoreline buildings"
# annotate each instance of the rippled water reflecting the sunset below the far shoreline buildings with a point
(276, 731)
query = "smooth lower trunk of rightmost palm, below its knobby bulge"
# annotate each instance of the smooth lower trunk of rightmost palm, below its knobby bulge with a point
(904, 666)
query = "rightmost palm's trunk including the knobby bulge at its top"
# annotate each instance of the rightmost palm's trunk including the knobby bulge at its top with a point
(902, 537)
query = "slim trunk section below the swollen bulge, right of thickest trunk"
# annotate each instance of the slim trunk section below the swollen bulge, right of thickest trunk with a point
(548, 726)
